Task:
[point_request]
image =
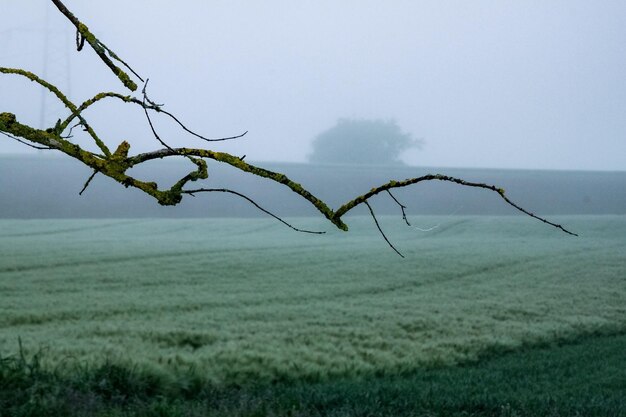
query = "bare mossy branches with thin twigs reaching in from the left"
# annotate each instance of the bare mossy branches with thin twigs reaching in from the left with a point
(115, 164)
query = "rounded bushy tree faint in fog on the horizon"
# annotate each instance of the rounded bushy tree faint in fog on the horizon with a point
(361, 141)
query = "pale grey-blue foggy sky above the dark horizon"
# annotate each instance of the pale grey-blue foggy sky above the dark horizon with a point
(498, 84)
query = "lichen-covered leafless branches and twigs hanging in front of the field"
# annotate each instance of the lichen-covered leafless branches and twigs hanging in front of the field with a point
(116, 167)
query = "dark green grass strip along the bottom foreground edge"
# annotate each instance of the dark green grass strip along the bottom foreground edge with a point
(587, 378)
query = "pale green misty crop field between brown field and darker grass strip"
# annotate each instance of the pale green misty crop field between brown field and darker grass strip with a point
(236, 302)
